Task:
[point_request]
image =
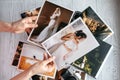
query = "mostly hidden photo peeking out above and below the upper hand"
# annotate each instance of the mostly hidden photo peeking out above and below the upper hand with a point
(33, 12)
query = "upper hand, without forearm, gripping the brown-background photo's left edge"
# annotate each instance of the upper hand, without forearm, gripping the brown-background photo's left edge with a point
(23, 24)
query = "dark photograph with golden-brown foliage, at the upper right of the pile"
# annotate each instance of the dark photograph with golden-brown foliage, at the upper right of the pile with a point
(96, 25)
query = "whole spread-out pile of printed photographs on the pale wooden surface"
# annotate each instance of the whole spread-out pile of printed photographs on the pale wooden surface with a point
(73, 37)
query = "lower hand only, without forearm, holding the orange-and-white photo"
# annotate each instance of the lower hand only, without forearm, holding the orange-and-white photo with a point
(47, 65)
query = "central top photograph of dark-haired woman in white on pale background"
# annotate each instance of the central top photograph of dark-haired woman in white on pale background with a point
(70, 43)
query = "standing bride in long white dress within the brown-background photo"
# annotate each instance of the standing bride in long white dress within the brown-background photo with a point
(51, 28)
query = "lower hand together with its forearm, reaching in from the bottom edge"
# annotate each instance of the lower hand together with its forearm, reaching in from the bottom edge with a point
(41, 67)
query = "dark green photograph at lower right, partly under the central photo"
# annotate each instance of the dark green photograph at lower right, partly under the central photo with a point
(92, 62)
